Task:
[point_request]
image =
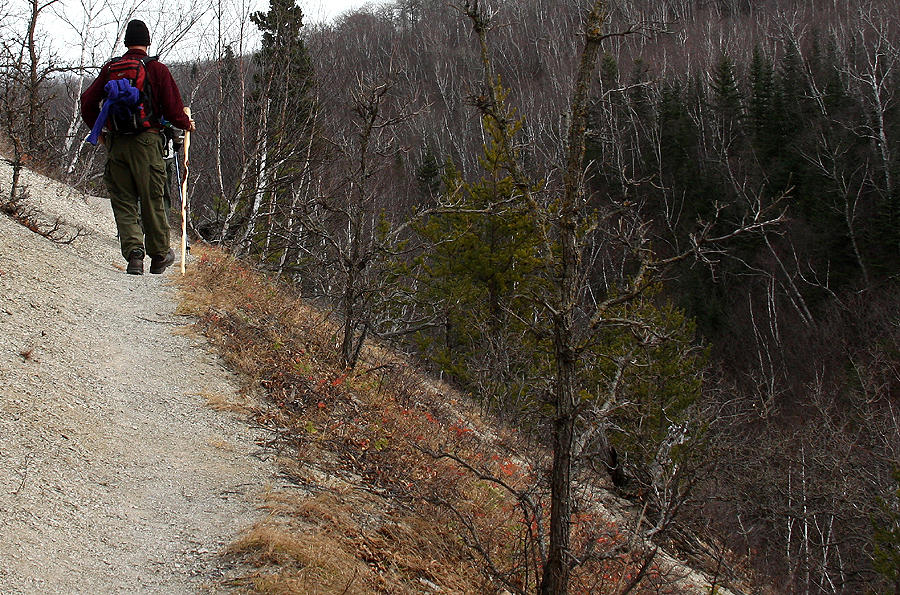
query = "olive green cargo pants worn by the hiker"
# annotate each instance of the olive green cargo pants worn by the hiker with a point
(136, 176)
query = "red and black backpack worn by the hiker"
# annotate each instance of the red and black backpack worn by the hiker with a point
(135, 116)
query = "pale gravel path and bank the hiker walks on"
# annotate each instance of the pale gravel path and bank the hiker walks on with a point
(114, 475)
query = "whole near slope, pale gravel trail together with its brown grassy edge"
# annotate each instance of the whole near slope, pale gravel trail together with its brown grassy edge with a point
(116, 477)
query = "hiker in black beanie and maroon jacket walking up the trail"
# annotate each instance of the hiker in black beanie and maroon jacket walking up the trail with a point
(136, 93)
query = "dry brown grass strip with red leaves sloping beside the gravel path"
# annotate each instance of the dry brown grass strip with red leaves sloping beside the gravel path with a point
(378, 509)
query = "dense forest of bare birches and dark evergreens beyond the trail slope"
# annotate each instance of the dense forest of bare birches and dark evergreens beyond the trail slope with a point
(683, 281)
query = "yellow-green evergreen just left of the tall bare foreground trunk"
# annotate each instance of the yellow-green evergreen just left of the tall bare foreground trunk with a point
(479, 276)
